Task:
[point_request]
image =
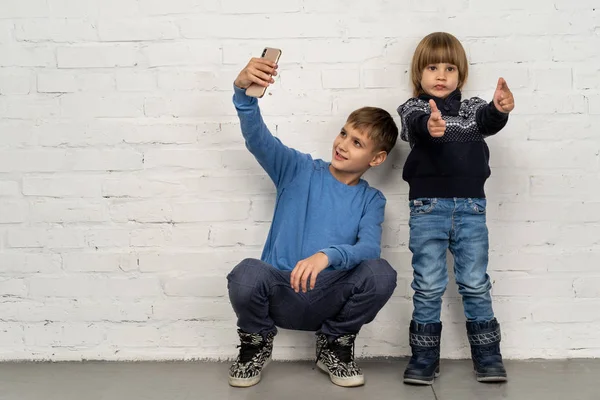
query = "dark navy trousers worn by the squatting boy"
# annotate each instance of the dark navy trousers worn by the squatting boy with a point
(341, 302)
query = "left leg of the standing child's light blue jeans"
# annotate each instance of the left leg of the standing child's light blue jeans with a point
(430, 224)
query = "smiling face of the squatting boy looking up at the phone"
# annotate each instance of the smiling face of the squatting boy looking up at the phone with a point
(353, 151)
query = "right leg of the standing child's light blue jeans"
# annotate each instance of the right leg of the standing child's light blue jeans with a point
(470, 246)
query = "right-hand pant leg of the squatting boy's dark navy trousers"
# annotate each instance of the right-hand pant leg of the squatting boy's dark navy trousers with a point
(344, 304)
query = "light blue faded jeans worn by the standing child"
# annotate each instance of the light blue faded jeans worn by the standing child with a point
(458, 224)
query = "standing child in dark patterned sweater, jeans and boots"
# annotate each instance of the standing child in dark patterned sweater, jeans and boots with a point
(446, 170)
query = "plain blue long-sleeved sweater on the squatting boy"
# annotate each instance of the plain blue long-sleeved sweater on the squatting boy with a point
(314, 212)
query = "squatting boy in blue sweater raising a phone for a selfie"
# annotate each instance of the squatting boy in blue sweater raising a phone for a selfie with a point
(320, 268)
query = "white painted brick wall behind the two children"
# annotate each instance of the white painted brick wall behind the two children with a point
(126, 193)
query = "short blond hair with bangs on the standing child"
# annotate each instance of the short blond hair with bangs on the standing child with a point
(438, 47)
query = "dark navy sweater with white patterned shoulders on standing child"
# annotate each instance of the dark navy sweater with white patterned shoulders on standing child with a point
(456, 164)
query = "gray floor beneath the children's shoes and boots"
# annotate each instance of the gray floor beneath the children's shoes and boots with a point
(531, 380)
